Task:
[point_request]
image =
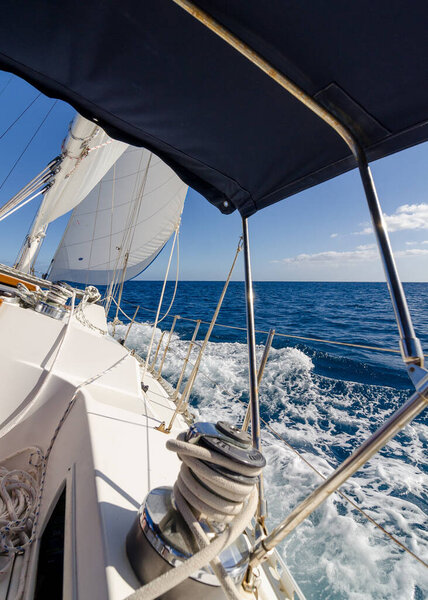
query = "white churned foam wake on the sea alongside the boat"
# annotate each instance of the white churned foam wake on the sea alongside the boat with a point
(336, 553)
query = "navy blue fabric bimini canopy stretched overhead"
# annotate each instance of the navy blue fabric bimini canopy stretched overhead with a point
(153, 76)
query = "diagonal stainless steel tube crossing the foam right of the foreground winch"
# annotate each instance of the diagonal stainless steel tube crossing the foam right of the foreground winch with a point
(414, 405)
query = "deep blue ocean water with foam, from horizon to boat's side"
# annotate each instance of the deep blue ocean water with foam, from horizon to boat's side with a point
(324, 400)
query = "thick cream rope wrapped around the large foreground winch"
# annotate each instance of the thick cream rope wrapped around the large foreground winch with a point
(220, 500)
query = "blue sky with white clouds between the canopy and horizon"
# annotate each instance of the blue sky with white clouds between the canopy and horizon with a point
(322, 234)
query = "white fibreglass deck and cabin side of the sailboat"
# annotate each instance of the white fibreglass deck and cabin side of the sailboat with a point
(108, 453)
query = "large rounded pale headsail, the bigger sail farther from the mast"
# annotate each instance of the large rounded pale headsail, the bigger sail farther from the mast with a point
(123, 223)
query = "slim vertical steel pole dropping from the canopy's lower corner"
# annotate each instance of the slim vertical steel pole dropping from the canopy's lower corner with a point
(251, 341)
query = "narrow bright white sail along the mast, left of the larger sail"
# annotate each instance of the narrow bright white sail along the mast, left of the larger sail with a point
(88, 153)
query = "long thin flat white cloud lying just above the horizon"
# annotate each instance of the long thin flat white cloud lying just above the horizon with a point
(363, 253)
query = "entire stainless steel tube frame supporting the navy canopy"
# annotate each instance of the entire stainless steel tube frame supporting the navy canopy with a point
(410, 346)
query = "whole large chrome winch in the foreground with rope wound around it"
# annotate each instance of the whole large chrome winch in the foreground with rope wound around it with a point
(216, 484)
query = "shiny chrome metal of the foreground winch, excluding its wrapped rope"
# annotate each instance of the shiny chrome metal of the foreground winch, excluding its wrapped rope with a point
(161, 540)
